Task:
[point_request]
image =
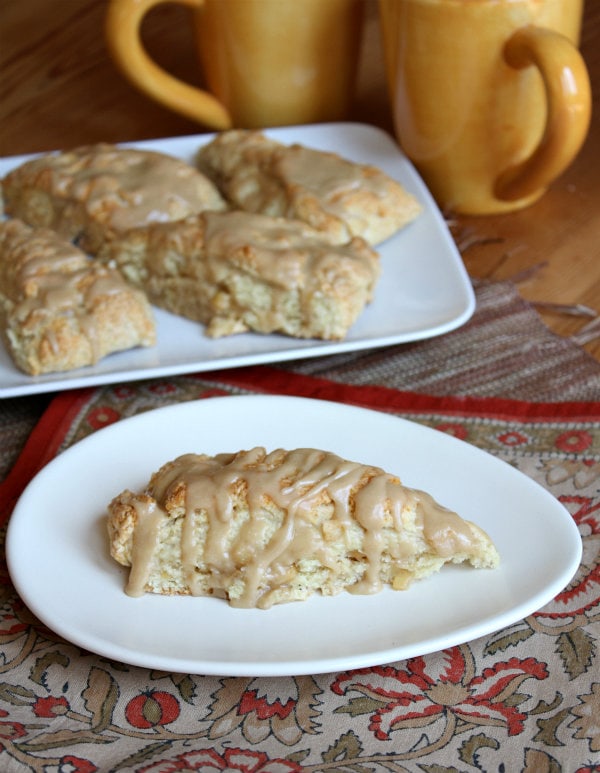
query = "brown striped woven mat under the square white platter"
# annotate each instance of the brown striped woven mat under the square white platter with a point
(504, 350)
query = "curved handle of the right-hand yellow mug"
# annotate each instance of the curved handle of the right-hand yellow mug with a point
(568, 96)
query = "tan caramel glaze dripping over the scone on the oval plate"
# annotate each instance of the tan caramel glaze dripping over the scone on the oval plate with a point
(295, 481)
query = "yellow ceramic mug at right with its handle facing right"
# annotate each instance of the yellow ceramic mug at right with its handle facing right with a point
(491, 98)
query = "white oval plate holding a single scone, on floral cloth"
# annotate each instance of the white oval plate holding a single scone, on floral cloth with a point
(58, 558)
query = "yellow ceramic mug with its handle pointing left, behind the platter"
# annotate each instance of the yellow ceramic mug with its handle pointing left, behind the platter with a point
(265, 62)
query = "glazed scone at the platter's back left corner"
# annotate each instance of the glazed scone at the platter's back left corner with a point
(94, 192)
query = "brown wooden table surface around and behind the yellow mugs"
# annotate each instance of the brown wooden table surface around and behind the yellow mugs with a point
(58, 89)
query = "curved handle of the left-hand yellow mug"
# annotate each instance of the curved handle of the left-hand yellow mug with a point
(122, 27)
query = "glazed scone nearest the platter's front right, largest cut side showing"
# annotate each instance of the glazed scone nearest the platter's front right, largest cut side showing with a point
(235, 271)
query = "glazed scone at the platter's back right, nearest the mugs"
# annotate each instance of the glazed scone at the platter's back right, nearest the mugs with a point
(340, 198)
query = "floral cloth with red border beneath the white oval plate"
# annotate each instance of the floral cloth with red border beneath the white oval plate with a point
(525, 698)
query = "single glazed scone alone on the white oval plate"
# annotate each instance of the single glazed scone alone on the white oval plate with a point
(260, 529)
